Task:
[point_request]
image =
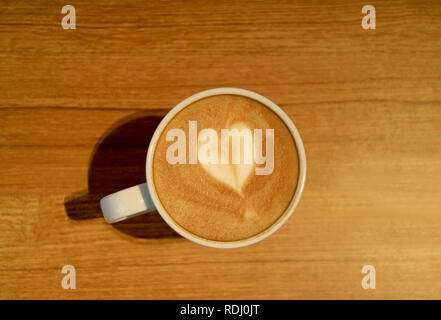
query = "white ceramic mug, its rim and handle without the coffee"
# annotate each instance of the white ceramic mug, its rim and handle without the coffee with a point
(142, 198)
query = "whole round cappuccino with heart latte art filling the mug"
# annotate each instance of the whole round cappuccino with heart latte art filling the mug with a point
(225, 167)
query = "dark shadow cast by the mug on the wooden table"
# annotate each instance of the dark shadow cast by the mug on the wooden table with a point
(118, 162)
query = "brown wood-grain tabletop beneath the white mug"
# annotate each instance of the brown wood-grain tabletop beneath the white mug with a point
(78, 108)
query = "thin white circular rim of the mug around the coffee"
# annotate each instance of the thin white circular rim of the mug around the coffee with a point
(283, 217)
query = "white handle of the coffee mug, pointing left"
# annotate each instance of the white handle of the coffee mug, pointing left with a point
(127, 203)
